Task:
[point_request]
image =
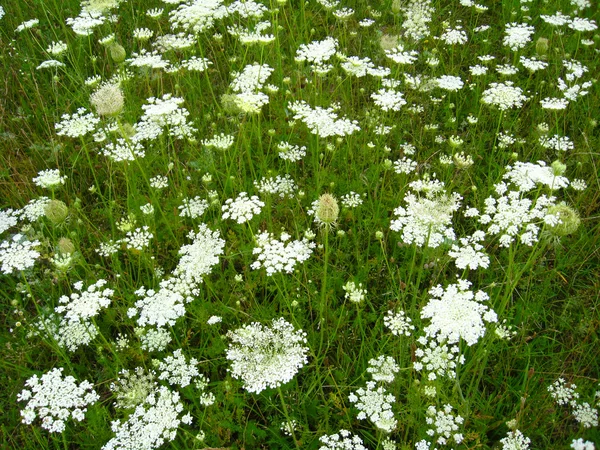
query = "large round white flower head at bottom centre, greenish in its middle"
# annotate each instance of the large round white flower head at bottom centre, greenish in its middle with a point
(266, 357)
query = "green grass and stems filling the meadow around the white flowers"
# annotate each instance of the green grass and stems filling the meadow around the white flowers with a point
(547, 293)
